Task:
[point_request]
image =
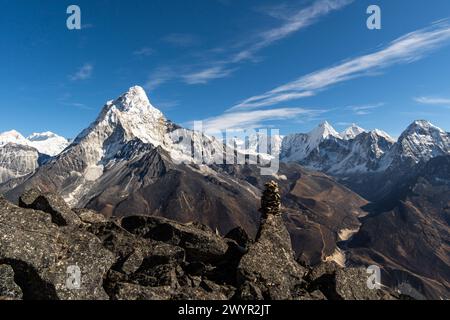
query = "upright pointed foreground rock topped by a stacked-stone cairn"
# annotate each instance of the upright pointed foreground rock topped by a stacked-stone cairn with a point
(269, 270)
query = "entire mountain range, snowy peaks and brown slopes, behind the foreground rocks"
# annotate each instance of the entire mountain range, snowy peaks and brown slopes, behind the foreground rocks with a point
(132, 160)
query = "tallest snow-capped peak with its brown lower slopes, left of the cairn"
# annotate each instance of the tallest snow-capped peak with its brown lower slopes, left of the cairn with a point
(131, 159)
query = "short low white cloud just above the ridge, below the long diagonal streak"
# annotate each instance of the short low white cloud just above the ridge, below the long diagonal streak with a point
(252, 119)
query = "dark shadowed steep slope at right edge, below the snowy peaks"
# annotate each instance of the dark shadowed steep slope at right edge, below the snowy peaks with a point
(414, 221)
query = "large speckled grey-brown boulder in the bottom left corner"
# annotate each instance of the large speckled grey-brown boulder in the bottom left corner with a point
(40, 252)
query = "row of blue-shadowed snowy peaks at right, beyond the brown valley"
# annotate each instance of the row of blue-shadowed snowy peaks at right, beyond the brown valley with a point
(372, 163)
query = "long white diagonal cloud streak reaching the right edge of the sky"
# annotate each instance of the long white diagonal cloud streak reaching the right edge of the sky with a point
(406, 49)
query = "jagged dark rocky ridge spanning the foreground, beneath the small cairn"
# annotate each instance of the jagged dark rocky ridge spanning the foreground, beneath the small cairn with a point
(152, 258)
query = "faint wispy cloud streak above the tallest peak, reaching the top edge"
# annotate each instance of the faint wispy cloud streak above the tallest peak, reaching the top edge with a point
(221, 62)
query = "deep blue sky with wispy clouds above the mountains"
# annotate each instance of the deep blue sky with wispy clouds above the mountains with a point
(232, 63)
